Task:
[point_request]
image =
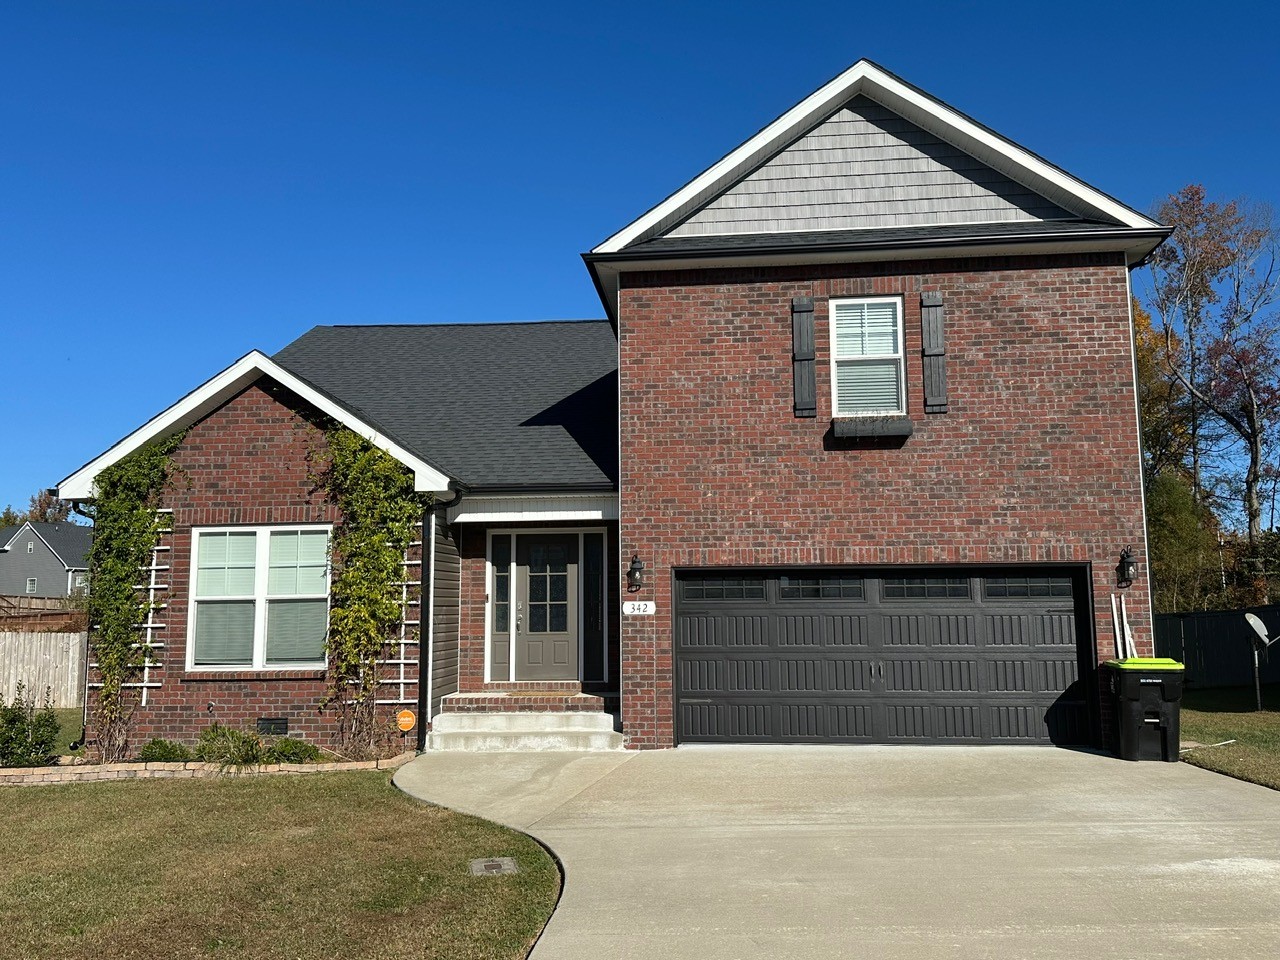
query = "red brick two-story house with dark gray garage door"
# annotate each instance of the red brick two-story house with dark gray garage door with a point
(858, 444)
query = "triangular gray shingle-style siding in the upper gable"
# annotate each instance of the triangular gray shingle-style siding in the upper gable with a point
(867, 168)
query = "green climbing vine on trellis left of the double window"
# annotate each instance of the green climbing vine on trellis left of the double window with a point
(126, 532)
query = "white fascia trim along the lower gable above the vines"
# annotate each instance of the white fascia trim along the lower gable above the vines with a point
(216, 392)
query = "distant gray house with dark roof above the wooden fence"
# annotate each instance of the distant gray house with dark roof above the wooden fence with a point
(44, 560)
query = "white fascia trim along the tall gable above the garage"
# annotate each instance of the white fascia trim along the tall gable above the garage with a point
(865, 77)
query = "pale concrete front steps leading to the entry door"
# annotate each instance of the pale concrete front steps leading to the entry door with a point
(513, 732)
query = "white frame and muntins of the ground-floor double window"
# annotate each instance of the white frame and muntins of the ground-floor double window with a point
(262, 572)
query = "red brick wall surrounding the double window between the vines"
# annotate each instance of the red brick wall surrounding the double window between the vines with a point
(248, 463)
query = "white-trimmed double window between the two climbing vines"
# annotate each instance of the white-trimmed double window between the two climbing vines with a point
(260, 598)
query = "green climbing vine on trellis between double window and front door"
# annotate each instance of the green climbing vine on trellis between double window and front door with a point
(380, 510)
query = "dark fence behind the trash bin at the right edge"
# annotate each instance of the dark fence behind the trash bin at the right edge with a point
(1217, 647)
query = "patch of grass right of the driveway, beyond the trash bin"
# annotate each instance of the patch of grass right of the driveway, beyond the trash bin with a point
(1213, 716)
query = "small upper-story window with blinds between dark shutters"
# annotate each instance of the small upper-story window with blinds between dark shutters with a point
(867, 356)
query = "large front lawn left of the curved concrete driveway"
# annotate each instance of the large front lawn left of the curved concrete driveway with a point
(319, 866)
